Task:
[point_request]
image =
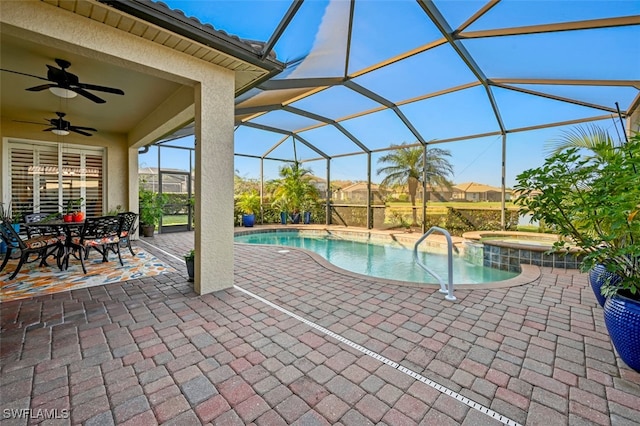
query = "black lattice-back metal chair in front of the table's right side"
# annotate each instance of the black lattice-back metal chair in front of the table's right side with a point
(100, 233)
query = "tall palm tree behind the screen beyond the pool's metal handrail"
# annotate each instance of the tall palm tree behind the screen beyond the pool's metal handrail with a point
(406, 168)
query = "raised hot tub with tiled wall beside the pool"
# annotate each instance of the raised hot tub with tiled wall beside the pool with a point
(506, 250)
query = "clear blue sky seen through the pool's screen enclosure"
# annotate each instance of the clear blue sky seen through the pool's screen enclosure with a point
(316, 36)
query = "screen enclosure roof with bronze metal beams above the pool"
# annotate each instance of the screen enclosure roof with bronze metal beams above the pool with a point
(429, 71)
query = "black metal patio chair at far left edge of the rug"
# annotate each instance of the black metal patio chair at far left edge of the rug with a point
(42, 245)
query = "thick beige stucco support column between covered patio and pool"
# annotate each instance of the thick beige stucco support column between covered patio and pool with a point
(214, 182)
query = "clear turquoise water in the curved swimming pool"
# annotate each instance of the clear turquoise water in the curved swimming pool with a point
(388, 260)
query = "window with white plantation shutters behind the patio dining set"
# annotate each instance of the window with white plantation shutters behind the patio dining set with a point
(44, 176)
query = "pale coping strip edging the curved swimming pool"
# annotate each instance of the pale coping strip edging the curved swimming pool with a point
(528, 274)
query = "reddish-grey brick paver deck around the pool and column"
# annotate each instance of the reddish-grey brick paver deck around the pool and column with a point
(295, 342)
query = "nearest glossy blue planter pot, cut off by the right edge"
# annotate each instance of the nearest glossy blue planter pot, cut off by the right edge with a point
(622, 318)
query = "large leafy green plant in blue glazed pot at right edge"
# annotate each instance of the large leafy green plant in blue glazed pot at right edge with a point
(593, 202)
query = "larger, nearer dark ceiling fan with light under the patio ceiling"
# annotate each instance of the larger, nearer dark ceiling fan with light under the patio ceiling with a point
(62, 82)
